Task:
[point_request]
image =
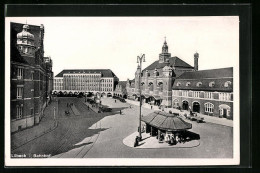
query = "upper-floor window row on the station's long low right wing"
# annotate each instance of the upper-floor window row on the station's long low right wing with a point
(208, 95)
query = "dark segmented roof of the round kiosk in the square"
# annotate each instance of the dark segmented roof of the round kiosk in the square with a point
(166, 121)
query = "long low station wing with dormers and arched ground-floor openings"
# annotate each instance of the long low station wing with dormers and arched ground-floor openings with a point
(207, 91)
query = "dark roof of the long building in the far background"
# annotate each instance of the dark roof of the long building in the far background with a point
(104, 72)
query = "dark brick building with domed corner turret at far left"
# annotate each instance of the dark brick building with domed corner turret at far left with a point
(31, 75)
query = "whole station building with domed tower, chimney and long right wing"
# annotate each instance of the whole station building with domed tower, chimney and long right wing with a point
(171, 82)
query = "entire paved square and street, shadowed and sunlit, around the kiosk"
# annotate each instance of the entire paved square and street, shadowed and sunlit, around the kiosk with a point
(93, 135)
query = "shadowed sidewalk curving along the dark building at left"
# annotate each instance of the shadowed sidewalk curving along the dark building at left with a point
(46, 125)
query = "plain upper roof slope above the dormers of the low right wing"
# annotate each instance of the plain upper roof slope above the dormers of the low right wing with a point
(202, 74)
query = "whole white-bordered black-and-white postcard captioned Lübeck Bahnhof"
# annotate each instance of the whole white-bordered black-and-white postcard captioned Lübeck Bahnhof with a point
(122, 91)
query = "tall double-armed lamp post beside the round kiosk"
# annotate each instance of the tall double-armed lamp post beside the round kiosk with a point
(140, 59)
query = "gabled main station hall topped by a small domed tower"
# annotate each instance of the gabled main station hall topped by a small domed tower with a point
(156, 80)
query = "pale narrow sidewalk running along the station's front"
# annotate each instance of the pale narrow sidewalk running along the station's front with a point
(207, 119)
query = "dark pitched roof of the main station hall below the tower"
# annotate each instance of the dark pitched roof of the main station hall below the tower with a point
(174, 61)
